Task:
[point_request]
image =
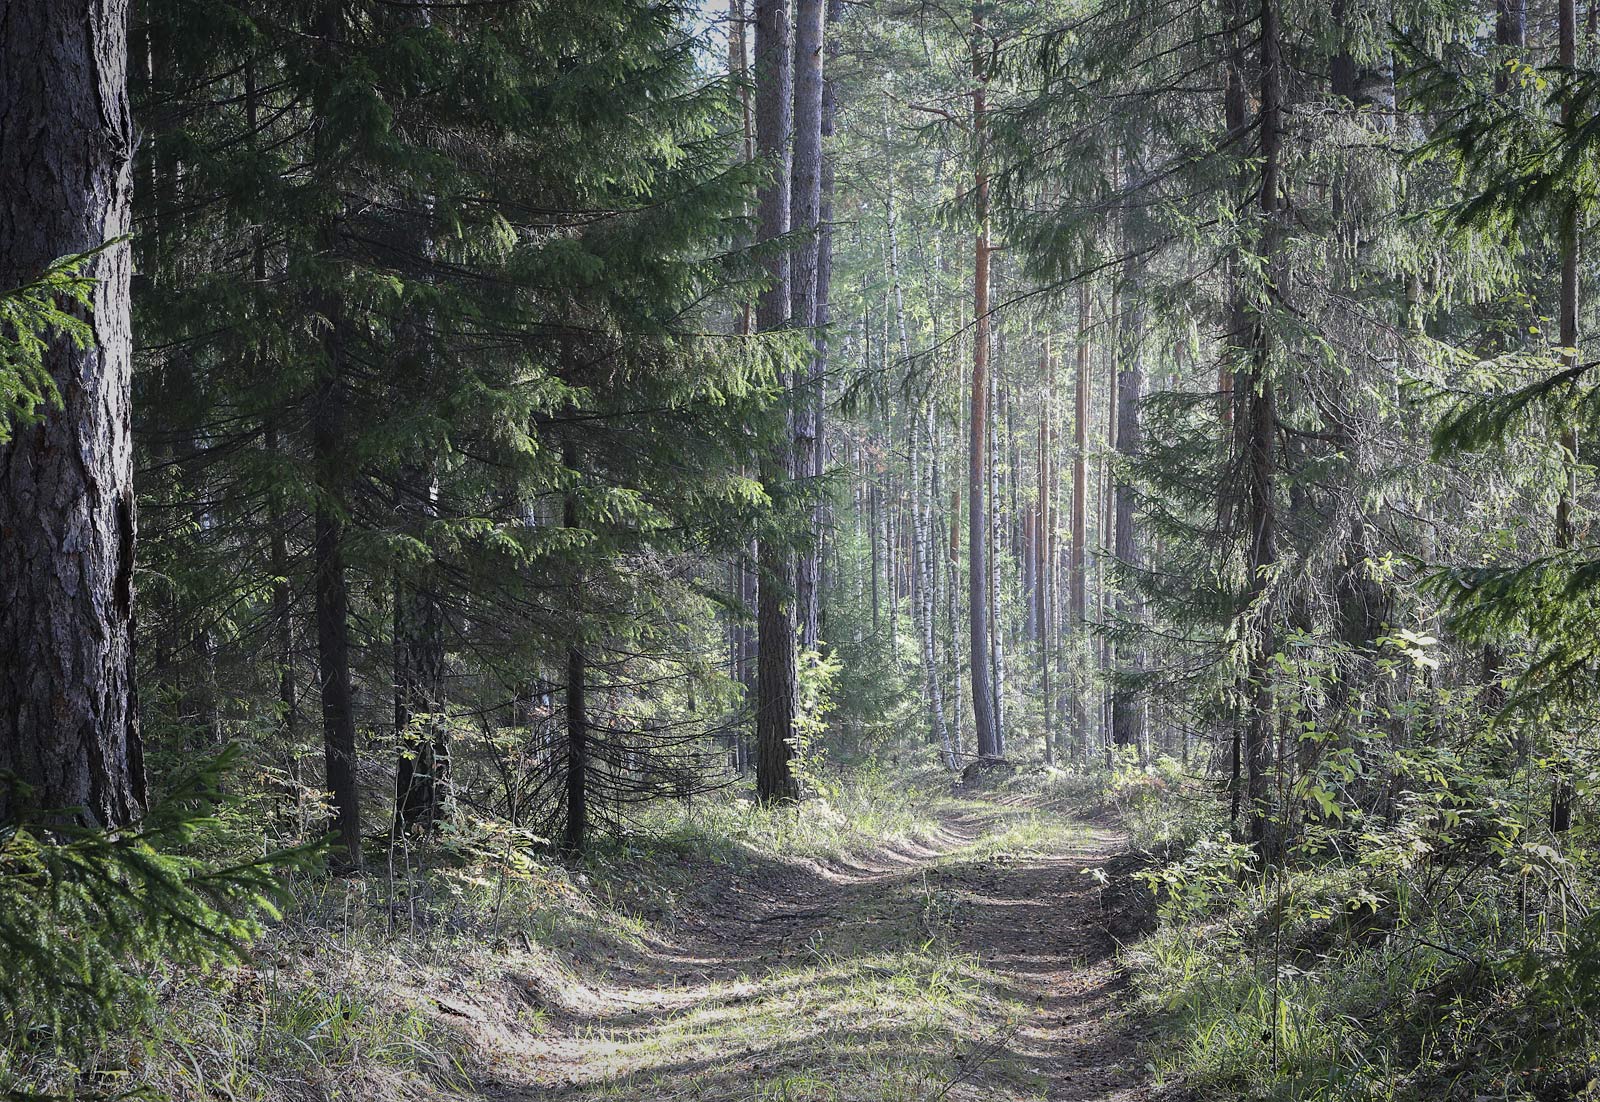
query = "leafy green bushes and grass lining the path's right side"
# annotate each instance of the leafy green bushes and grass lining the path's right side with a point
(1422, 927)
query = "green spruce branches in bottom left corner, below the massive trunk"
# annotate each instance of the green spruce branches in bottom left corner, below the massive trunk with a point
(92, 920)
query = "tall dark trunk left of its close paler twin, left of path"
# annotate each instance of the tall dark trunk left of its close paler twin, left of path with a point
(775, 714)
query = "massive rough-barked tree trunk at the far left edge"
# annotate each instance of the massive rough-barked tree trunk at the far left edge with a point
(70, 724)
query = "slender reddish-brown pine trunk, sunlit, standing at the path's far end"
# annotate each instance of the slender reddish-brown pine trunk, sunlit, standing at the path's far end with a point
(978, 444)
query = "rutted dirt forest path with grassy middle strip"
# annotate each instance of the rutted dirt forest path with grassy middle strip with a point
(975, 964)
